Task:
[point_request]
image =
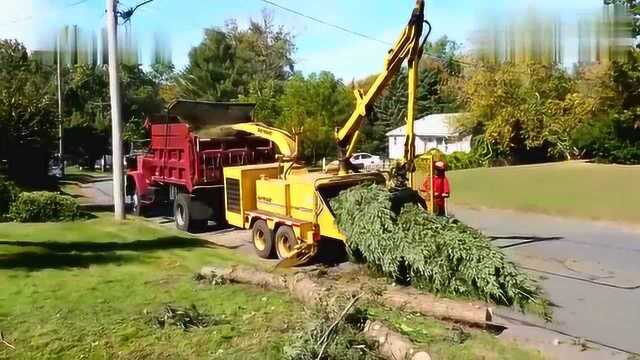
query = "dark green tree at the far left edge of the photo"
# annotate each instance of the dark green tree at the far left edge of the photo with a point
(27, 113)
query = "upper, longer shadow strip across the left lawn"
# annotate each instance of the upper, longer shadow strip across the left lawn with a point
(166, 243)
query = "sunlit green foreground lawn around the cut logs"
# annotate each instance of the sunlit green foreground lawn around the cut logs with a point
(89, 290)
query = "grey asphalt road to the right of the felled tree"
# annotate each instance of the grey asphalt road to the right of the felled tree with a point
(590, 271)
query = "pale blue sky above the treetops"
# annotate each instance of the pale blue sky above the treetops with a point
(319, 47)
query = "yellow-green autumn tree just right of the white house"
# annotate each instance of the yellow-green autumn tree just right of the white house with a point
(526, 112)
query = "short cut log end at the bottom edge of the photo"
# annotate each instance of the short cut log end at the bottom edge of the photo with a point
(392, 345)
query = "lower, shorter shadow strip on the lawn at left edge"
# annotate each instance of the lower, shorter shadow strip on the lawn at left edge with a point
(39, 261)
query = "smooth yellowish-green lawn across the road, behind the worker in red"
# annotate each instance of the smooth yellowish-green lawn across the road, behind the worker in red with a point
(592, 191)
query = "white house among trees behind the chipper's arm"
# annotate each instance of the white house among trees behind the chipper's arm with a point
(433, 131)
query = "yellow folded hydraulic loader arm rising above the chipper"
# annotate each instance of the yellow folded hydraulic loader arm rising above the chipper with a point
(409, 47)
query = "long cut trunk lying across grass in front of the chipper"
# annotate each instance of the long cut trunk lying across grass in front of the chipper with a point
(309, 291)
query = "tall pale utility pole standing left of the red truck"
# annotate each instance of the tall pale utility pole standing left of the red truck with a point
(116, 111)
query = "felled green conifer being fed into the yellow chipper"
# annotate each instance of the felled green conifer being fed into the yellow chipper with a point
(434, 254)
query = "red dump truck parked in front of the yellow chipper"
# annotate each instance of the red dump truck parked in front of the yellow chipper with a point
(183, 165)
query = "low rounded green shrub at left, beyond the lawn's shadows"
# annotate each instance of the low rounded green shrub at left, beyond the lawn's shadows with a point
(43, 206)
